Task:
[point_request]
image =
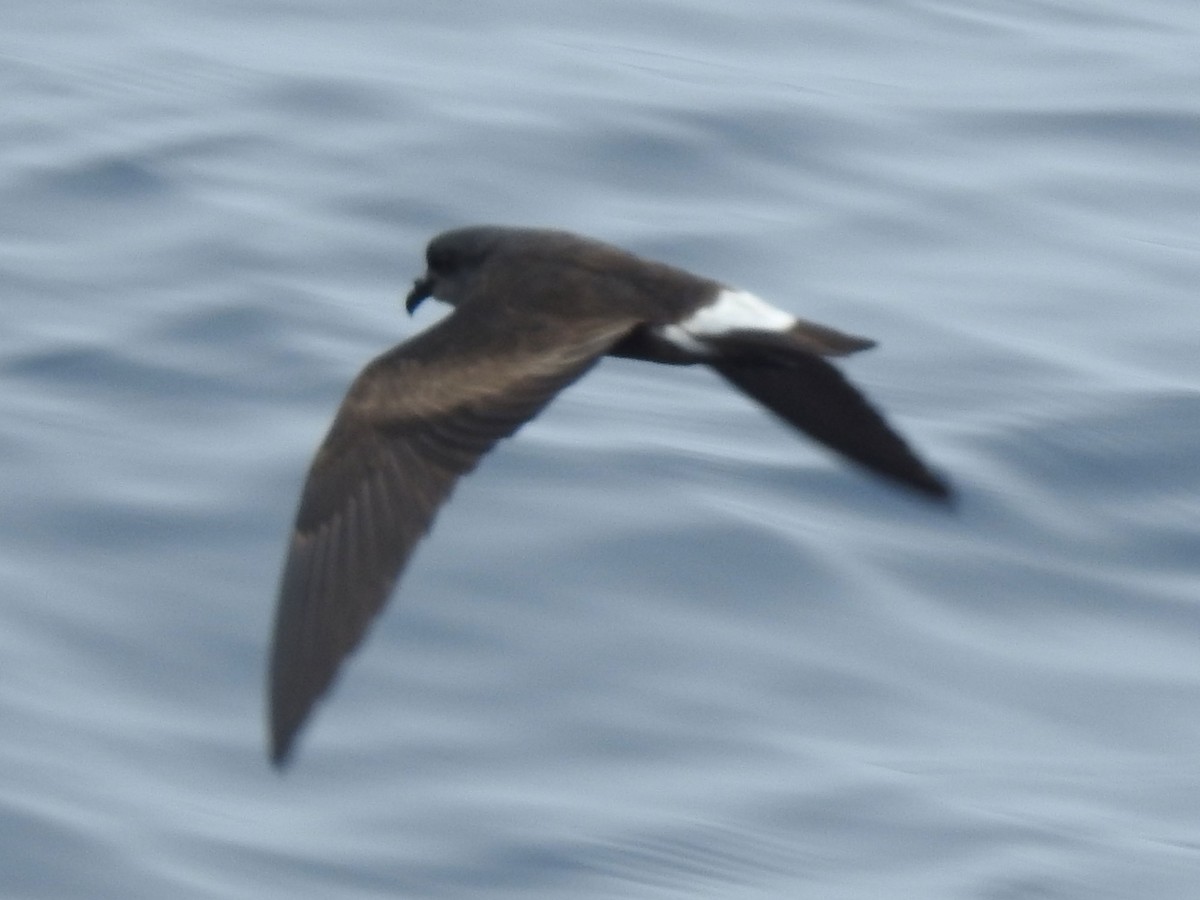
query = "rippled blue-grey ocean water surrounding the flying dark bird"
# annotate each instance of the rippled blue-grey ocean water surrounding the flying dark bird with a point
(657, 646)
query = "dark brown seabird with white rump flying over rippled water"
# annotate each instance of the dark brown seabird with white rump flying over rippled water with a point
(533, 311)
